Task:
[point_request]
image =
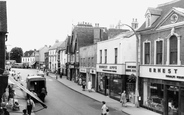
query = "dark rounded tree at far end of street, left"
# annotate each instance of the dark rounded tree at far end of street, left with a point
(16, 54)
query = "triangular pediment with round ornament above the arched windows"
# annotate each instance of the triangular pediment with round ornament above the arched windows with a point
(175, 16)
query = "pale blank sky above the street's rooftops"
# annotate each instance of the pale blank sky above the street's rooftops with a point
(33, 24)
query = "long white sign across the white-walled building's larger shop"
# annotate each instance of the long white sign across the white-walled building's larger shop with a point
(106, 68)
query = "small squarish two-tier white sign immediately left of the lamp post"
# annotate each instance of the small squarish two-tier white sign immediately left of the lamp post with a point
(130, 68)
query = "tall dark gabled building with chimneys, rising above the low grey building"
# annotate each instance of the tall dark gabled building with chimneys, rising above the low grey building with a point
(83, 34)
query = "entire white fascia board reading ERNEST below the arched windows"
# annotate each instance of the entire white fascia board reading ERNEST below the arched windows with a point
(163, 72)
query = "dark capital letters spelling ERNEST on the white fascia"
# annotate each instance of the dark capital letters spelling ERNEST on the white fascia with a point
(163, 70)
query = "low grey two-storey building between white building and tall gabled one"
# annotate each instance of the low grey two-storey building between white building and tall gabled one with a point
(87, 66)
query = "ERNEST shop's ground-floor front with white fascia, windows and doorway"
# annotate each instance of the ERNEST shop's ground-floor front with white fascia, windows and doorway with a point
(162, 89)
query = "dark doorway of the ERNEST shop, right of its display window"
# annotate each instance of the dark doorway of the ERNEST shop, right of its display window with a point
(173, 99)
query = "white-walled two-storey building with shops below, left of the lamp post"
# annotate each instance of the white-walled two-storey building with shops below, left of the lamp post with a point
(116, 67)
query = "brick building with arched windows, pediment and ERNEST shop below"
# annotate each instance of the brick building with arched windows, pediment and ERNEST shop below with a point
(162, 59)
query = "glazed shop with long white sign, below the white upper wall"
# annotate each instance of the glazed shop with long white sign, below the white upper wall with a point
(111, 80)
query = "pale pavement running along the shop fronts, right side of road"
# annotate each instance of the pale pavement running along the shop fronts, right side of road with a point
(130, 109)
